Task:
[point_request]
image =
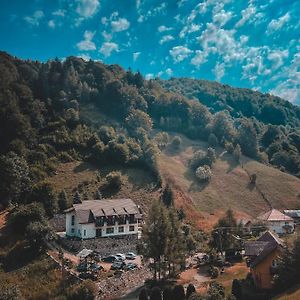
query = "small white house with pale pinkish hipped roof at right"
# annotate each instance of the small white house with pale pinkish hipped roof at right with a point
(277, 221)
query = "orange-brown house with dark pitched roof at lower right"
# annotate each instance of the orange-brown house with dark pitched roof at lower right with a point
(262, 258)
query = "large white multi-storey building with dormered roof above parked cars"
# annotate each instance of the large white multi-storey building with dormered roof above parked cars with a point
(102, 218)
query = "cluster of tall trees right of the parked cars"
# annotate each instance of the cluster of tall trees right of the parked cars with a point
(163, 240)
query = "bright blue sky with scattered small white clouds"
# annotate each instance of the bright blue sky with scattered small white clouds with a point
(254, 44)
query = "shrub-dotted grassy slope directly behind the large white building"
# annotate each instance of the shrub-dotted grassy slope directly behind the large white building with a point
(137, 184)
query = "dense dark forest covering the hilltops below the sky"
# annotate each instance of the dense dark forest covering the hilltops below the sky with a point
(41, 121)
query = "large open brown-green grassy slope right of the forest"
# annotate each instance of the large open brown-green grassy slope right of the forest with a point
(229, 187)
